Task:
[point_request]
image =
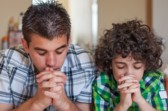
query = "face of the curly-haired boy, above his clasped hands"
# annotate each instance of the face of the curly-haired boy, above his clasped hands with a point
(126, 66)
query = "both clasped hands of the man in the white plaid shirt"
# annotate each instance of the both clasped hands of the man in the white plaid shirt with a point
(51, 89)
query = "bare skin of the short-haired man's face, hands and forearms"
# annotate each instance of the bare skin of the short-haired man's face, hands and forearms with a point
(48, 56)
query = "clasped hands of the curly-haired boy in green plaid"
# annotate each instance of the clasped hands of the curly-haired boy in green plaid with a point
(129, 88)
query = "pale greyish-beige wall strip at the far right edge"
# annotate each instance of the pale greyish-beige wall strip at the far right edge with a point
(160, 24)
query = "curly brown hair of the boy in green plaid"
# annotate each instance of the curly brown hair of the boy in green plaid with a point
(131, 37)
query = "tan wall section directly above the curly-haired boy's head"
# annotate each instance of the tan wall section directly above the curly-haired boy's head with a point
(112, 11)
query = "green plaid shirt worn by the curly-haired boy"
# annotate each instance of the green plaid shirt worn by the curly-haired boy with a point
(106, 95)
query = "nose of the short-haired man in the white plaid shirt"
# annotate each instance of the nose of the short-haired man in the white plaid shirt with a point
(50, 60)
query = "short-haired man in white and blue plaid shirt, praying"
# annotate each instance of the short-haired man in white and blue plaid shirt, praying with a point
(46, 73)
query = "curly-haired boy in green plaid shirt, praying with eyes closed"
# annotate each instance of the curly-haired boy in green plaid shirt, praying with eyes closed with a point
(128, 56)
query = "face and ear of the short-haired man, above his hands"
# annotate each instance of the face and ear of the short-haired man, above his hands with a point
(47, 53)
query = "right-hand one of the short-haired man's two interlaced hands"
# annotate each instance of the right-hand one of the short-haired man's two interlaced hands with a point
(55, 85)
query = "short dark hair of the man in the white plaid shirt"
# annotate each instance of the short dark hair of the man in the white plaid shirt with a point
(47, 19)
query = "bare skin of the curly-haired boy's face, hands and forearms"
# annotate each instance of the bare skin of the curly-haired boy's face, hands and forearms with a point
(128, 72)
